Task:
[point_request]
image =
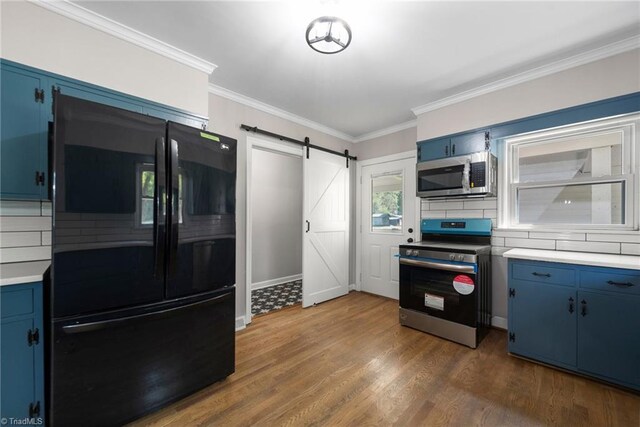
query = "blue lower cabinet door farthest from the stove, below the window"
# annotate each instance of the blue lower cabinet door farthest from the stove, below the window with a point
(609, 336)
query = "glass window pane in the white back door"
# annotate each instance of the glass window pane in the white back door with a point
(386, 202)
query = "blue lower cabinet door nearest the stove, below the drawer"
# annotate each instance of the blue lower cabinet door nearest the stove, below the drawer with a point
(545, 325)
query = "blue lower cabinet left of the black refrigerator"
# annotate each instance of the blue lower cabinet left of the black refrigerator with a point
(22, 368)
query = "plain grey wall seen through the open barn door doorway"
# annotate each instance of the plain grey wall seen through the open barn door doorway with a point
(276, 202)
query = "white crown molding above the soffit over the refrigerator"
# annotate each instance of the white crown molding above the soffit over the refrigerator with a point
(109, 26)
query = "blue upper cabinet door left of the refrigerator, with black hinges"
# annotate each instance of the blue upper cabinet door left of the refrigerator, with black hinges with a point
(23, 135)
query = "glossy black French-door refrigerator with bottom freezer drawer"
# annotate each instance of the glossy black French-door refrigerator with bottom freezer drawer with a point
(140, 294)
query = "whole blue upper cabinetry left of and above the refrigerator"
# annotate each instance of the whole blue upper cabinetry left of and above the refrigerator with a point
(27, 116)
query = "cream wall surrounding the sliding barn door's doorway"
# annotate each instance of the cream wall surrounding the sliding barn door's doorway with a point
(225, 117)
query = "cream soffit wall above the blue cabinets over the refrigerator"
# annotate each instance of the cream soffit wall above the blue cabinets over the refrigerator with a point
(37, 37)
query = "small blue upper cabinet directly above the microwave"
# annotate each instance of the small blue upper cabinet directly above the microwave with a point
(455, 145)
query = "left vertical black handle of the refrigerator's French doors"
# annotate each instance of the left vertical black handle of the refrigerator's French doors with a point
(160, 210)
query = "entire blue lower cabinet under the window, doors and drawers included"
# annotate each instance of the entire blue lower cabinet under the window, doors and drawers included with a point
(581, 318)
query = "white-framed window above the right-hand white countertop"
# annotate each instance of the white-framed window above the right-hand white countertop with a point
(577, 177)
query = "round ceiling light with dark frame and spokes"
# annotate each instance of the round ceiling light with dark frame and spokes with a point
(328, 34)
